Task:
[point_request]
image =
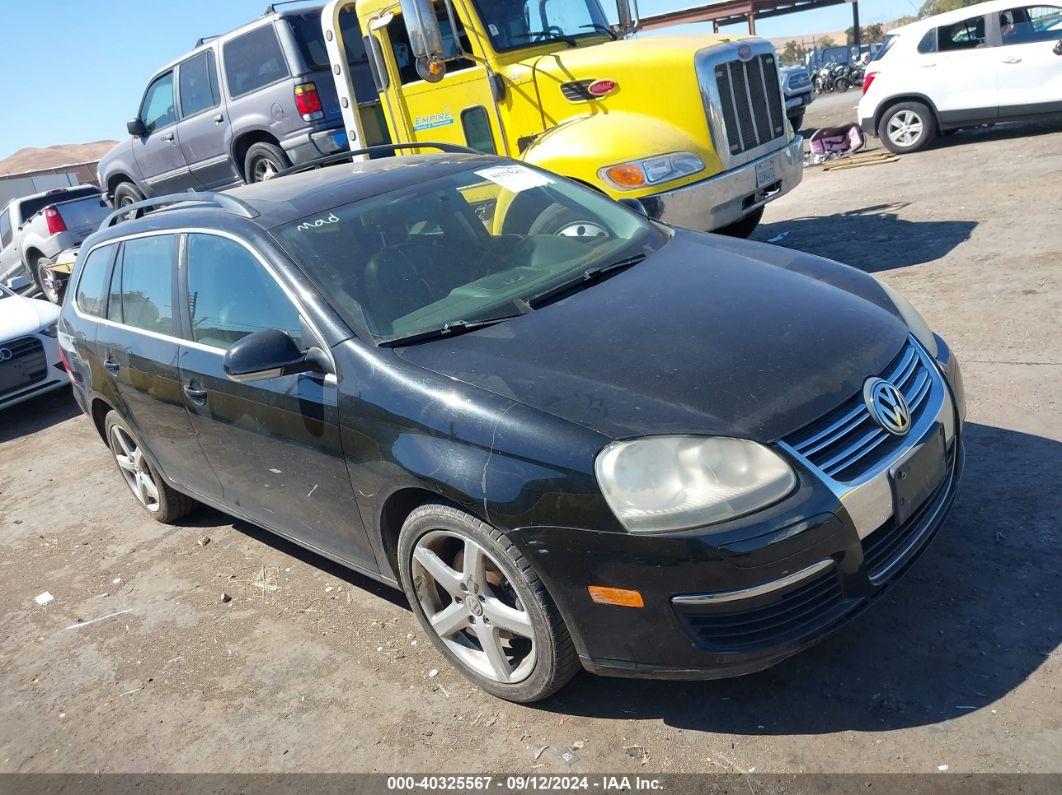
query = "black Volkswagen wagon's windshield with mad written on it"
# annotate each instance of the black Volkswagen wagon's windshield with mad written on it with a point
(470, 247)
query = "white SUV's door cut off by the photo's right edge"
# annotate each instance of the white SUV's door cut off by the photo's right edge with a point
(1032, 70)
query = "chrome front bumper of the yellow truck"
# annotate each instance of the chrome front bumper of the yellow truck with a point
(727, 198)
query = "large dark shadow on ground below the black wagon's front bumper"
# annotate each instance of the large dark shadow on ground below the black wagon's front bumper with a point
(972, 620)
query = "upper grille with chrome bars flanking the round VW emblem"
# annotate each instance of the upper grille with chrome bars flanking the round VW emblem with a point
(848, 443)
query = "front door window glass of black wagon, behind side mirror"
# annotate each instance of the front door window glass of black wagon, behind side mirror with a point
(232, 296)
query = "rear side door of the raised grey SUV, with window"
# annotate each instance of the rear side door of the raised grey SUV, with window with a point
(204, 131)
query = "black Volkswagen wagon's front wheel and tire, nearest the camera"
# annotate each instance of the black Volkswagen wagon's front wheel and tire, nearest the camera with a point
(540, 659)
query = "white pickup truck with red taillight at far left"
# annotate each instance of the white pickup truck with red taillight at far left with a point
(36, 231)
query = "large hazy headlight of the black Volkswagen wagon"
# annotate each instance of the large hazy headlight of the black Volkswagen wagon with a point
(666, 483)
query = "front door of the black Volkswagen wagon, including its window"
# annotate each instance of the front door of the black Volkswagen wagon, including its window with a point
(275, 444)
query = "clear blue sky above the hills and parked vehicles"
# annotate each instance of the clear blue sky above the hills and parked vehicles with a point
(75, 70)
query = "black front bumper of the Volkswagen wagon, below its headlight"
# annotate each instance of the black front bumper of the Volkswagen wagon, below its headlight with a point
(732, 603)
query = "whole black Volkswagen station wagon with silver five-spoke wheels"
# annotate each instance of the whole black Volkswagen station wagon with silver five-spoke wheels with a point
(576, 438)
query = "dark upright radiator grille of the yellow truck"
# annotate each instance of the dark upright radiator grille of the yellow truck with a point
(751, 102)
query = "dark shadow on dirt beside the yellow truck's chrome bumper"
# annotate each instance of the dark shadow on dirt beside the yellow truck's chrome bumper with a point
(873, 239)
